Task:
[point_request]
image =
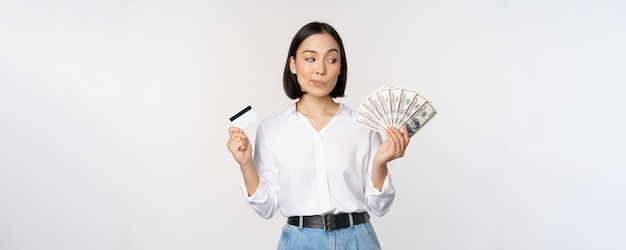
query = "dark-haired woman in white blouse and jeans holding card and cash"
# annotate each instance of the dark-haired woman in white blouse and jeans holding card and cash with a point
(312, 161)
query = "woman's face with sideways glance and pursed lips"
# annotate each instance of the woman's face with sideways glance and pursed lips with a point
(317, 65)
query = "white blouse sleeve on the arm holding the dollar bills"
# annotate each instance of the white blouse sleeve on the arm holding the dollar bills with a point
(378, 202)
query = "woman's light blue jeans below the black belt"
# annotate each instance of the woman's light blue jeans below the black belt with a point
(361, 237)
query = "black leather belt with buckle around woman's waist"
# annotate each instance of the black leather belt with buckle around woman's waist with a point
(329, 222)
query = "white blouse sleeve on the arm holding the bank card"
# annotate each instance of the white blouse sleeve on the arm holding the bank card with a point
(264, 201)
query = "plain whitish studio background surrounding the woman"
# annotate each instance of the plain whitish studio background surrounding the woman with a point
(114, 119)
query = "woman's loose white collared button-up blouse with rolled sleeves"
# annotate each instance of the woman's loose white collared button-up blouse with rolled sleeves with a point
(308, 172)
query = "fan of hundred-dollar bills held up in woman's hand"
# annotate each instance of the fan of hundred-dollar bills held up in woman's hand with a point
(395, 106)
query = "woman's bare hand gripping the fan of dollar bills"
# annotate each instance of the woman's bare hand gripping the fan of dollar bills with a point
(393, 147)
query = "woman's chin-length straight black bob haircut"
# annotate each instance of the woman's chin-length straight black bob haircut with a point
(290, 80)
